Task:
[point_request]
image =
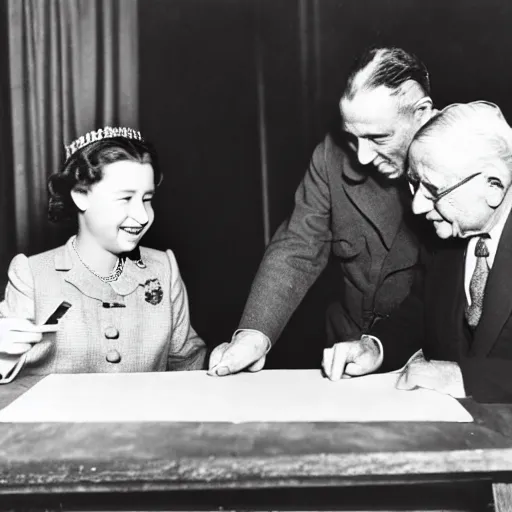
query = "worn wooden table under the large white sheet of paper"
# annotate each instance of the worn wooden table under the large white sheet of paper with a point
(262, 466)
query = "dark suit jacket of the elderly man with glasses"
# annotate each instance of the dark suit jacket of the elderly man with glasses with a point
(434, 320)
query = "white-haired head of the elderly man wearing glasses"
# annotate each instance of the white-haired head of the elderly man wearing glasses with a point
(460, 164)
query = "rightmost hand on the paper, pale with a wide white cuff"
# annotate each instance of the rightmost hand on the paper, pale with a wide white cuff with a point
(441, 376)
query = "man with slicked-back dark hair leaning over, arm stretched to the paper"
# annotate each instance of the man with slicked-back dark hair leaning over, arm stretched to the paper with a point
(349, 206)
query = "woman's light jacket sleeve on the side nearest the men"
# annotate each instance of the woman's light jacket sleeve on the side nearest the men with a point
(187, 350)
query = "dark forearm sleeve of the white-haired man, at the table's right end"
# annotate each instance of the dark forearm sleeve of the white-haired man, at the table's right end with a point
(487, 380)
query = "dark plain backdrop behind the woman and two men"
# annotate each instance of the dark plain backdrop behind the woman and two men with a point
(201, 62)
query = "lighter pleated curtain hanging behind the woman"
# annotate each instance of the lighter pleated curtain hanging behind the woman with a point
(73, 68)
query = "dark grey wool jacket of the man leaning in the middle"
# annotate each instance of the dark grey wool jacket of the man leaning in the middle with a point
(343, 210)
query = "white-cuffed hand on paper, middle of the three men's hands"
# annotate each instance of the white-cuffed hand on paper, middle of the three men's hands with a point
(352, 358)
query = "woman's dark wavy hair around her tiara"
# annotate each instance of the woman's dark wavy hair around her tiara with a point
(85, 167)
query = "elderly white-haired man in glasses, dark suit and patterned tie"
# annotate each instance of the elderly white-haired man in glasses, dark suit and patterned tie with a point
(455, 334)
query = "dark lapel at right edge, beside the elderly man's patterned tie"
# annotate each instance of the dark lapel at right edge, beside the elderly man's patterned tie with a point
(498, 295)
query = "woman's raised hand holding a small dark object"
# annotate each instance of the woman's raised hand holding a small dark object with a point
(17, 335)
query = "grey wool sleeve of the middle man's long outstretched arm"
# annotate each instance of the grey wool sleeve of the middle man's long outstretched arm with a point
(295, 257)
